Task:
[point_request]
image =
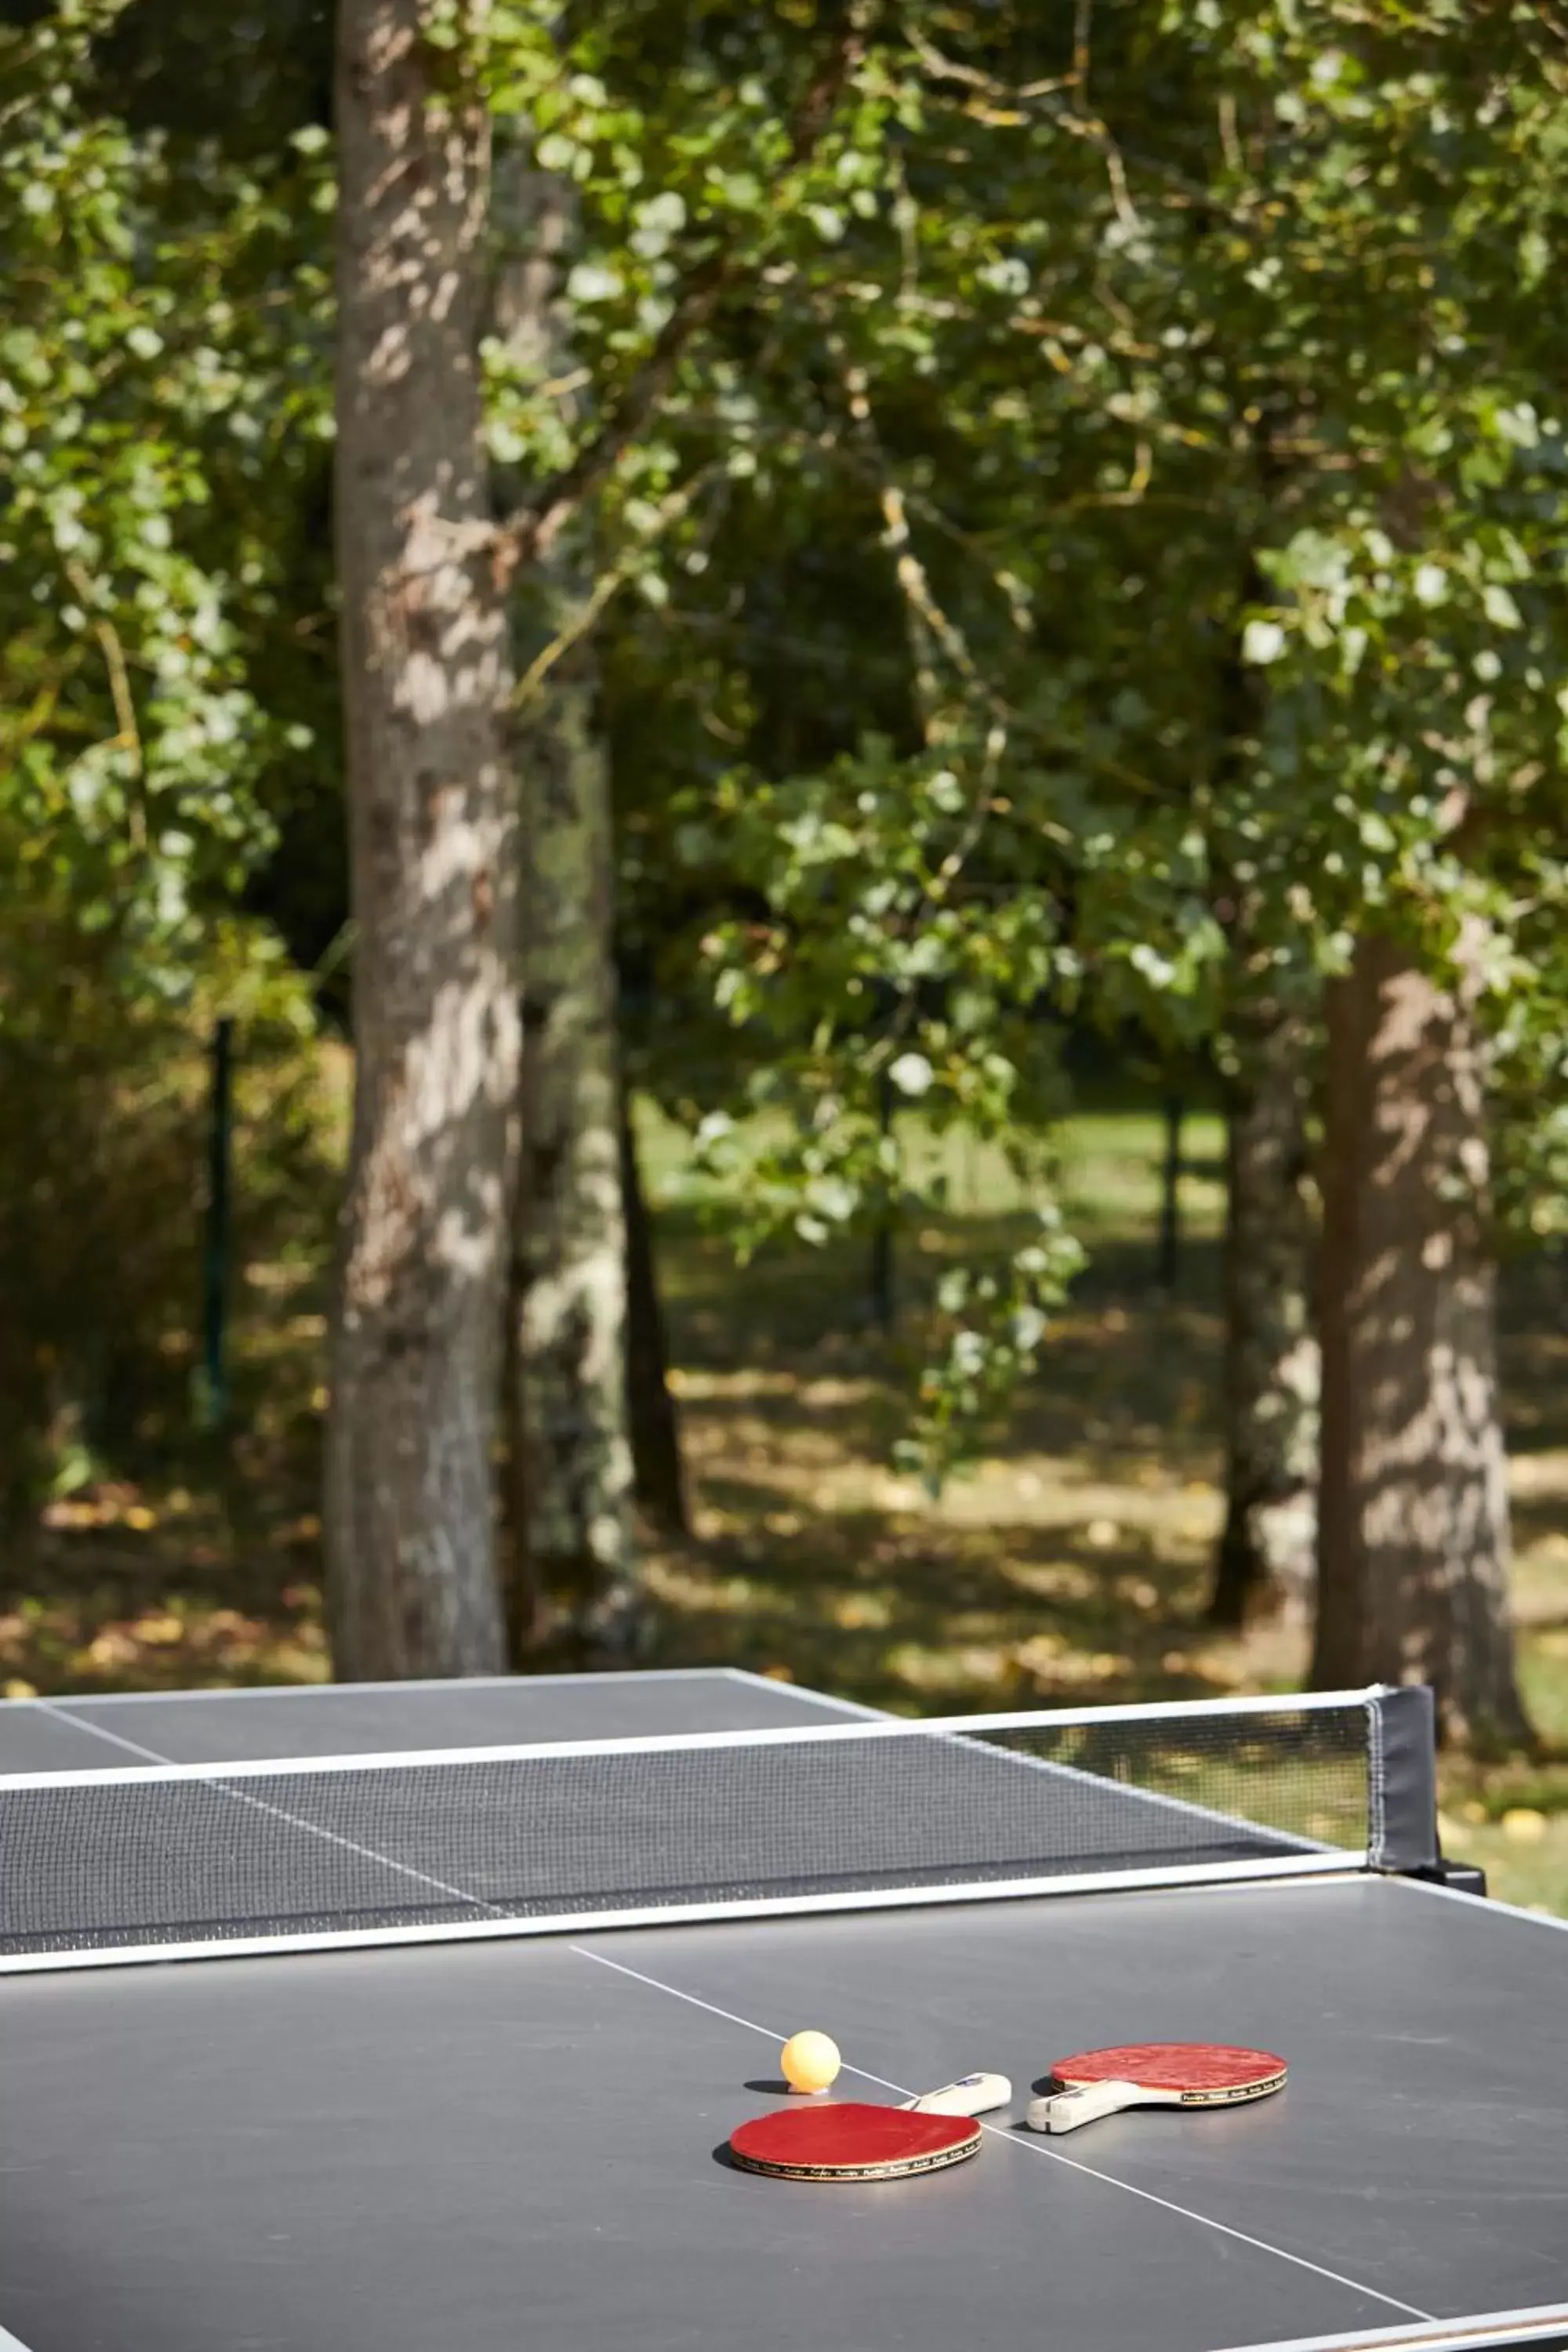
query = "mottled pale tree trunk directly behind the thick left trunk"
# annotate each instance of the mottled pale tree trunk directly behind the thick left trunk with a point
(572, 1462)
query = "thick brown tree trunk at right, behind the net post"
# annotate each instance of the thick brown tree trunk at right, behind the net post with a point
(1414, 1518)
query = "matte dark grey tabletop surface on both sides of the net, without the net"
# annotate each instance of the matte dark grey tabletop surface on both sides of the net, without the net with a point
(518, 2144)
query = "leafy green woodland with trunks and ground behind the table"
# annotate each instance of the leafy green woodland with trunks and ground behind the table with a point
(782, 853)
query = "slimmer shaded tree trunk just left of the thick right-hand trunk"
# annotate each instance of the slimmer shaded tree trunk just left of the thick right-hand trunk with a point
(1271, 1344)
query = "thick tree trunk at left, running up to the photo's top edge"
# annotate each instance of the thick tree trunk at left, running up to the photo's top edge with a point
(434, 843)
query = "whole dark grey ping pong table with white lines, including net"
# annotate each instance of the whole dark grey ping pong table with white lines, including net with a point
(476, 1979)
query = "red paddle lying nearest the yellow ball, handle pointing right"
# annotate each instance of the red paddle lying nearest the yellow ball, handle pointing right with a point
(855, 2141)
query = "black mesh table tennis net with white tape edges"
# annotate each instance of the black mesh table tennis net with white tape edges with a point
(471, 1843)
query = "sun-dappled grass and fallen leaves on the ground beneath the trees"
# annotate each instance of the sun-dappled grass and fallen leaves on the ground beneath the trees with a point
(1068, 1565)
